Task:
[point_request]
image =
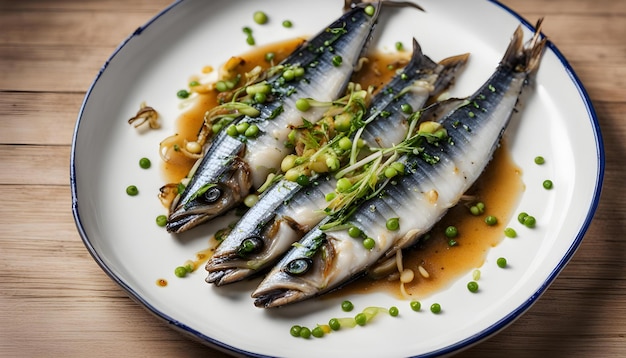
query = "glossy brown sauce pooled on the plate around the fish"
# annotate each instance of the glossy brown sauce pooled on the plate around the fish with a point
(499, 188)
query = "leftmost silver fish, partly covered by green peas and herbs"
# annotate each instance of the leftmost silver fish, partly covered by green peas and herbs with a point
(232, 165)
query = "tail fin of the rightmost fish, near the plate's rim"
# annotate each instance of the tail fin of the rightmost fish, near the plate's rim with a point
(524, 57)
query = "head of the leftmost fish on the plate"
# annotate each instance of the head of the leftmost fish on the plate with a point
(217, 194)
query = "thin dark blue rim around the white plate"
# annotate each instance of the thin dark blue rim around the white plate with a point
(479, 336)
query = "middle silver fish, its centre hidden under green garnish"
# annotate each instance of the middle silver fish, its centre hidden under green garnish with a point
(287, 210)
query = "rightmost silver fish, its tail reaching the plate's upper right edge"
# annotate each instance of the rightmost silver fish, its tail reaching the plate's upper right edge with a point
(324, 260)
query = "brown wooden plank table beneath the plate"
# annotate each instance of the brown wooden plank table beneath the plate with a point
(55, 300)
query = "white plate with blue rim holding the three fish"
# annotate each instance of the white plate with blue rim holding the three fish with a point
(558, 123)
